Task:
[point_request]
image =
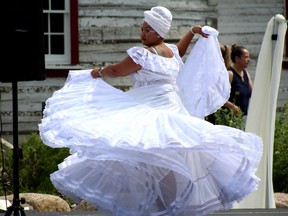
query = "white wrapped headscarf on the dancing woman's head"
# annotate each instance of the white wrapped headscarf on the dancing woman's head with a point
(159, 18)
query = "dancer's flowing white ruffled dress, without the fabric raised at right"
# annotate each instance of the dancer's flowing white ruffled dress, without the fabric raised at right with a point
(140, 152)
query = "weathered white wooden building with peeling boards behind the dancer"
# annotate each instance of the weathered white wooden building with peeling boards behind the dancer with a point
(98, 33)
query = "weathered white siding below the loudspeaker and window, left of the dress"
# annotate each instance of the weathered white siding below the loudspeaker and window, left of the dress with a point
(31, 96)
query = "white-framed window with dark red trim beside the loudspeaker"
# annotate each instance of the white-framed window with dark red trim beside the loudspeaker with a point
(61, 32)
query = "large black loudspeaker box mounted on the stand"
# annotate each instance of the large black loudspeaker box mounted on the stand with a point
(23, 55)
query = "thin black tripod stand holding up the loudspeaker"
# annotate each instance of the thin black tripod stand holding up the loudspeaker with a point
(17, 153)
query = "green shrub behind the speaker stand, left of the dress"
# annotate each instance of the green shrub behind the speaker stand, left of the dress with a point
(38, 162)
